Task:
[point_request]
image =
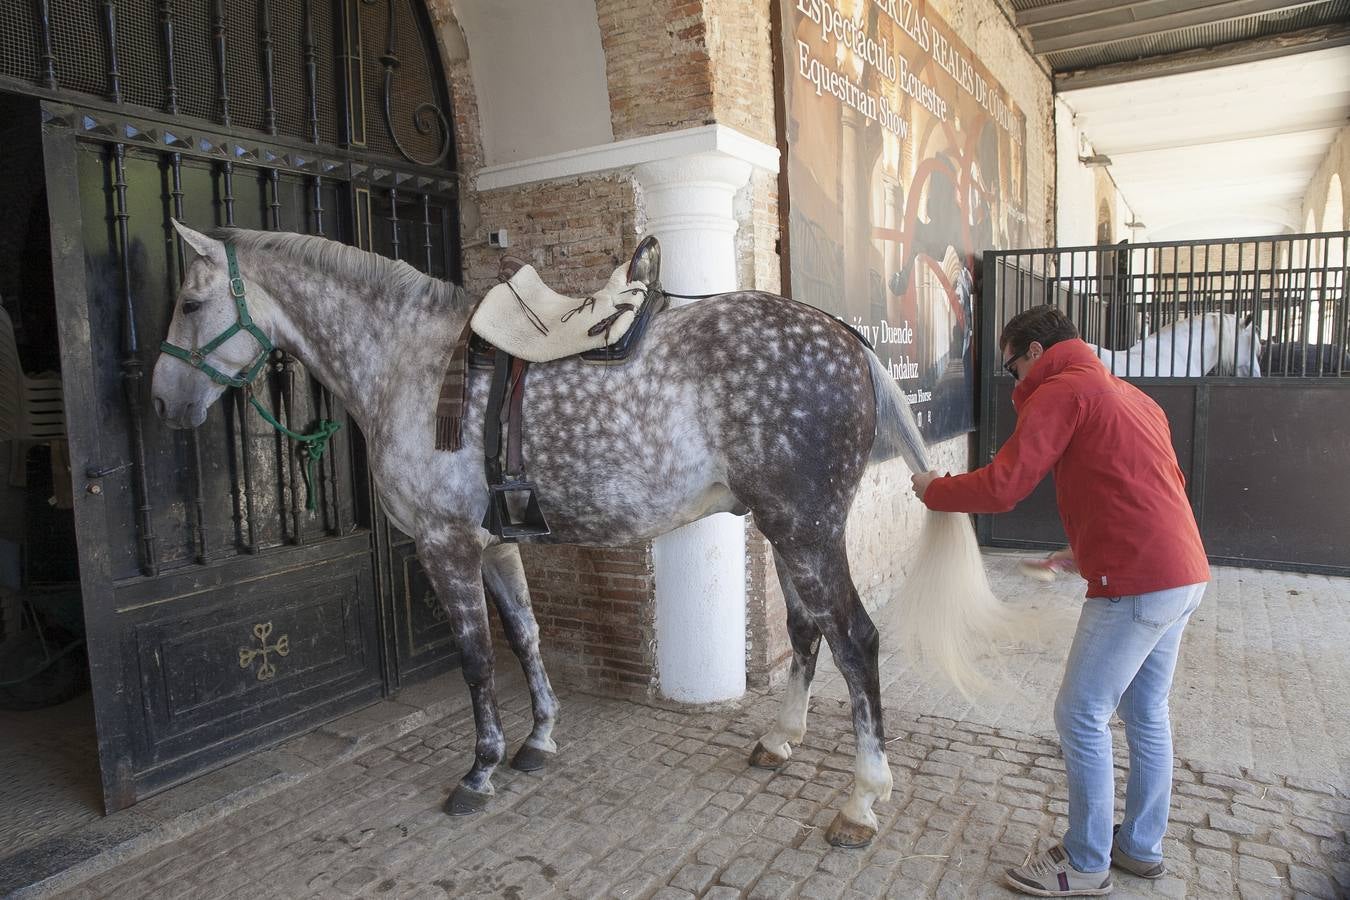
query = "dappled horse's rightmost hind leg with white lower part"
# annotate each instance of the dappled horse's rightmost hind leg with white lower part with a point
(827, 592)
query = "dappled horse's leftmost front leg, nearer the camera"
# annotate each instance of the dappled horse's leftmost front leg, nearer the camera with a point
(453, 561)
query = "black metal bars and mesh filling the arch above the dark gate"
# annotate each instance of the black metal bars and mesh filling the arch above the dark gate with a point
(315, 71)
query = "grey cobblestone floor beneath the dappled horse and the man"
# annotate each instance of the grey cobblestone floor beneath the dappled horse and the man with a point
(651, 801)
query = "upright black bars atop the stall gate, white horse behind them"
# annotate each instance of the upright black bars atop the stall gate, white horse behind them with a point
(1271, 306)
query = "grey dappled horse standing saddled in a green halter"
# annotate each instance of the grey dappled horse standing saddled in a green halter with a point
(747, 403)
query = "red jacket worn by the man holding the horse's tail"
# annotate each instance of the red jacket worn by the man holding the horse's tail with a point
(1121, 496)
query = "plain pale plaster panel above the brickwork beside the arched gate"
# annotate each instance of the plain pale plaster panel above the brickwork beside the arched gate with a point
(539, 75)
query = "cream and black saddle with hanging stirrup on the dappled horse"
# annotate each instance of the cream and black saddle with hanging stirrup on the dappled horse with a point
(514, 511)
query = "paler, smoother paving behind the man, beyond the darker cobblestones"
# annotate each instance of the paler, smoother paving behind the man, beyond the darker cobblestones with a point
(1263, 682)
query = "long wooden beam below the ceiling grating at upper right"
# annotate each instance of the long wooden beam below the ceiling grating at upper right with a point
(1228, 55)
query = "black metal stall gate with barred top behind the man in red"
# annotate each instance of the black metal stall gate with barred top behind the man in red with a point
(1264, 457)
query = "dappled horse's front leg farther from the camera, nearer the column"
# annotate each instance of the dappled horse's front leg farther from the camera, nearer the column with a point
(504, 577)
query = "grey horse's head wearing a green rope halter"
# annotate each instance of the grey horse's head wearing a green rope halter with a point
(213, 342)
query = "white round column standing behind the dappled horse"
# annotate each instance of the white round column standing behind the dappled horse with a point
(701, 567)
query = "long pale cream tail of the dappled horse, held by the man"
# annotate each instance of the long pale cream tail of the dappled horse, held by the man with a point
(947, 612)
